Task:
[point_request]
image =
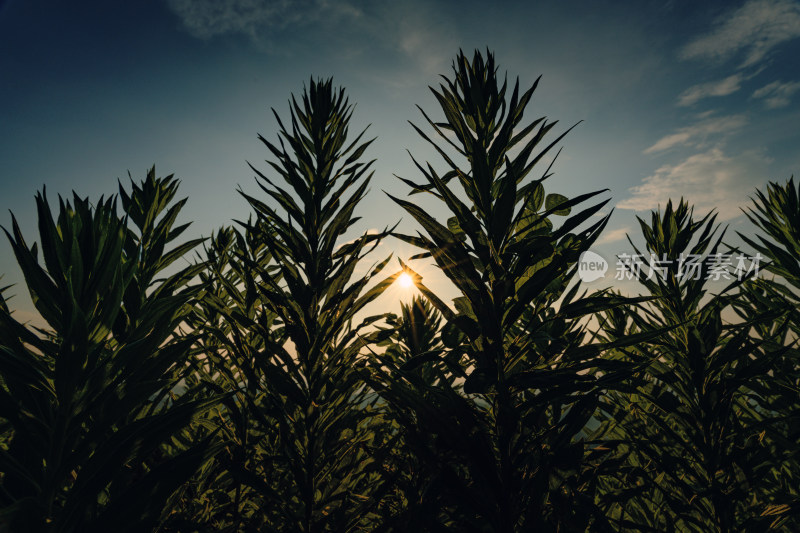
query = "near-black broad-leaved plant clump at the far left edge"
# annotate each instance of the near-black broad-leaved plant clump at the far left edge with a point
(92, 402)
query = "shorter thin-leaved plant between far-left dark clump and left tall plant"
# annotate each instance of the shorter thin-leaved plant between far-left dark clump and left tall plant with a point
(233, 330)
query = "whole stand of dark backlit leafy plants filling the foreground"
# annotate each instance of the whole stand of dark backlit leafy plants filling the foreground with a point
(248, 393)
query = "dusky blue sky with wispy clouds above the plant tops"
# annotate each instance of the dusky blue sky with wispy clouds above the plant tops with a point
(689, 99)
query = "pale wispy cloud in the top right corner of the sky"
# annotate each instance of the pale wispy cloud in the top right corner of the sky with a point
(754, 29)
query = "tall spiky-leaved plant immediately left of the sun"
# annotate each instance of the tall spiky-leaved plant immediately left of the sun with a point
(321, 473)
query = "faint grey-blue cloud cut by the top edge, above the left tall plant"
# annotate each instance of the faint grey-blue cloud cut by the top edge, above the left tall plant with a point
(209, 18)
